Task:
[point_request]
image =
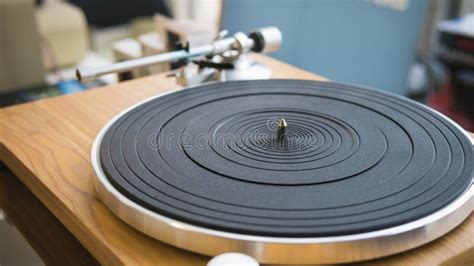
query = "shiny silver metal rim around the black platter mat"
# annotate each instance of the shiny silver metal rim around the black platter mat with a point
(336, 249)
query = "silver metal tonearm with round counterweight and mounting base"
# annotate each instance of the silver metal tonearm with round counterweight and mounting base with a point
(223, 59)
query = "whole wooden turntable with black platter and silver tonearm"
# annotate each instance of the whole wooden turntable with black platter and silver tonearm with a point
(280, 171)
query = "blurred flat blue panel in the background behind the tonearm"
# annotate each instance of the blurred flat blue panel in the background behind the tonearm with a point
(352, 41)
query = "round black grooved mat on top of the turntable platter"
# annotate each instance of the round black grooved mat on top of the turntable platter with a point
(351, 160)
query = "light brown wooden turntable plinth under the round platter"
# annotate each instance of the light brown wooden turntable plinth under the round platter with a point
(47, 145)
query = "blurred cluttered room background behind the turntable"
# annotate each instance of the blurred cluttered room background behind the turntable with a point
(423, 49)
